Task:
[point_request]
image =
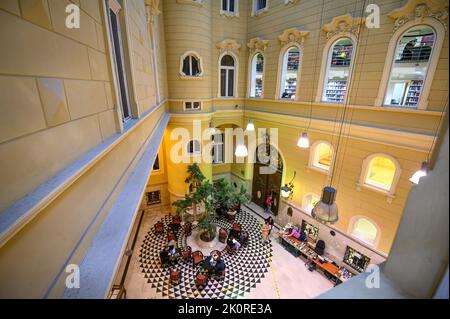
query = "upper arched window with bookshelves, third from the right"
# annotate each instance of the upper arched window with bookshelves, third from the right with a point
(289, 73)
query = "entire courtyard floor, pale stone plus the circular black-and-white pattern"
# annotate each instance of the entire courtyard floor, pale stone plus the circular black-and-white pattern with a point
(278, 274)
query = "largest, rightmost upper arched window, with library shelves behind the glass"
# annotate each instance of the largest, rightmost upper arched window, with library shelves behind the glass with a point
(410, 67)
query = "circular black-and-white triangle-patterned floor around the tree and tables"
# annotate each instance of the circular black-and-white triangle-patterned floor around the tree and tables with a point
(244, 269)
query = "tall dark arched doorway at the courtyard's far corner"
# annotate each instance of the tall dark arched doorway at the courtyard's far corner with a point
(267, 175)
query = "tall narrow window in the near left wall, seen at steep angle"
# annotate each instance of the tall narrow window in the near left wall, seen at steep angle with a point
(115, 33)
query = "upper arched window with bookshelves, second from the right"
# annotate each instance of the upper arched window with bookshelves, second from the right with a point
(337, 74)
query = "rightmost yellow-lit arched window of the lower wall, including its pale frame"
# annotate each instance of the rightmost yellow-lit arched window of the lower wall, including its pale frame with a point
(381, 171)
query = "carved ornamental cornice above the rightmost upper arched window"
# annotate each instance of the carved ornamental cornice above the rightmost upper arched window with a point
(417, 10)
